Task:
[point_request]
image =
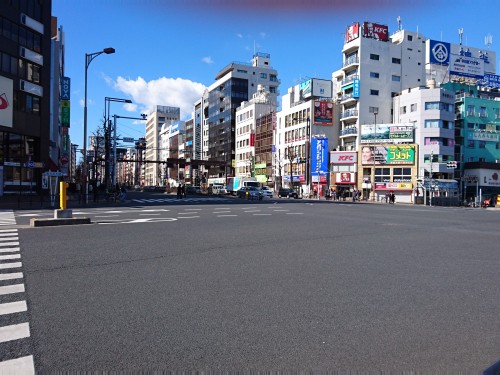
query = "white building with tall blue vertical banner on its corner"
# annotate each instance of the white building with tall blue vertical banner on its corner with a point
(304, 133)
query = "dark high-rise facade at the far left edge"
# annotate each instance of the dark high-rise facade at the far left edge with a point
(25, 86)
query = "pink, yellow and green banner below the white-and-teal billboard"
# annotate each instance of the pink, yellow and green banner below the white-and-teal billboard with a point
(388, 155)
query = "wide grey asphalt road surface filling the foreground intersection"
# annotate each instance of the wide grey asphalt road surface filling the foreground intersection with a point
(273, 285)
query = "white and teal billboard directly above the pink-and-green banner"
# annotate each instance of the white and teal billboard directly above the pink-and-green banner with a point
(386, 133)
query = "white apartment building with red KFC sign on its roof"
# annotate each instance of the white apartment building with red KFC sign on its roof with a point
(375, 68)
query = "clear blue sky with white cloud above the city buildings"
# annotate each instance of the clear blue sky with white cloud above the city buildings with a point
(167, 52)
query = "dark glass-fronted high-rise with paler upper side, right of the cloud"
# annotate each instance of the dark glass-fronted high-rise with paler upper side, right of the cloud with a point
(235, 83)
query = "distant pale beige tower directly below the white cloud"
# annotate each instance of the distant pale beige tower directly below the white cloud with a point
(158, 117)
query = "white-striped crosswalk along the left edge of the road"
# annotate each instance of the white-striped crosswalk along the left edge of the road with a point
(15, 358)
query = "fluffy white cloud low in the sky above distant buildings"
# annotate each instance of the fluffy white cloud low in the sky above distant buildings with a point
(173, 92)
